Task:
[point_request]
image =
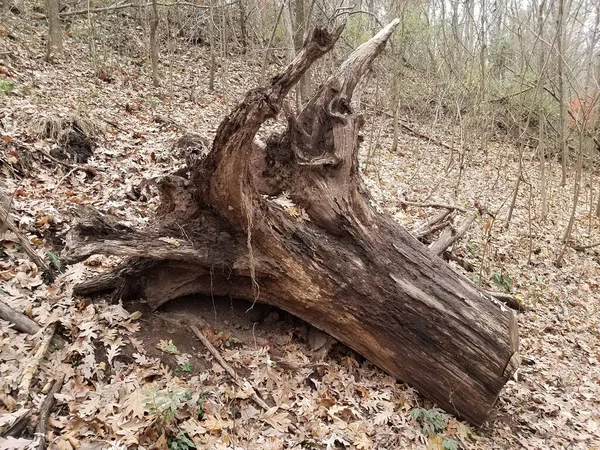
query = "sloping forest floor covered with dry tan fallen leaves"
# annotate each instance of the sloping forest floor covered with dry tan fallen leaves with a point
(138, 377)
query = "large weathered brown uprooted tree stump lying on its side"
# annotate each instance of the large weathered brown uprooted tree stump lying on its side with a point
(290, 223)
